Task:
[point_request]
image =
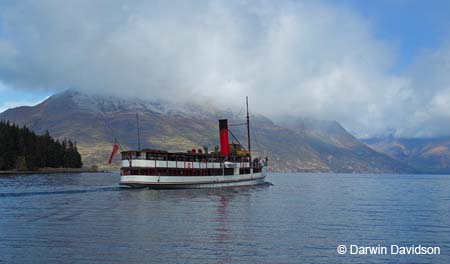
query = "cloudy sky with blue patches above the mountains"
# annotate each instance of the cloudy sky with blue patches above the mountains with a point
(377, 67)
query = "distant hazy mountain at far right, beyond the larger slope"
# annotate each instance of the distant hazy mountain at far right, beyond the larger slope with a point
(428, 155)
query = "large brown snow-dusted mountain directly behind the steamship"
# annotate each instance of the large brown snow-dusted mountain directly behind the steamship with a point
(298, 145)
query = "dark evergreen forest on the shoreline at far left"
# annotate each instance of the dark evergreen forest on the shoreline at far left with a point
(22, 149)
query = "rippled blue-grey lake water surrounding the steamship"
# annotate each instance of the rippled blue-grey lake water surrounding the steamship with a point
(301, 218)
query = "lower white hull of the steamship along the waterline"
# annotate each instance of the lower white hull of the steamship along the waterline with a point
(193, 181)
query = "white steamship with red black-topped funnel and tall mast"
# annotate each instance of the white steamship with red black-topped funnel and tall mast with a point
(233, 165)
